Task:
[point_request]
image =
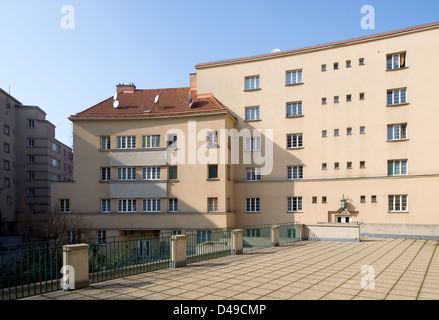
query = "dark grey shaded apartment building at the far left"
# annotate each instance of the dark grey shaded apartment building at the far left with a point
(31, 158)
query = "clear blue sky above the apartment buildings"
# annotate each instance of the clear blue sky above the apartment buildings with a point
(156, 44)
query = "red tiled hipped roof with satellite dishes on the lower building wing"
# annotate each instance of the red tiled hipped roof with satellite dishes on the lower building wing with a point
(141, 104)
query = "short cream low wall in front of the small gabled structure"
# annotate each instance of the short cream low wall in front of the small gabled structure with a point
(331, 232)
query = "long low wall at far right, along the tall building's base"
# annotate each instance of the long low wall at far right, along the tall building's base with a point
(419, 231)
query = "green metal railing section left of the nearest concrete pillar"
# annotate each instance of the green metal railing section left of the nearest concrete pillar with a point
(30, 269)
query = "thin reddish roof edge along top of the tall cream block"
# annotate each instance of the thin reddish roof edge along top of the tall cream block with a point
(318, 47)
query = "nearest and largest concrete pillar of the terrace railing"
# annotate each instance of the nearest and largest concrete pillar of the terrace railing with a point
(75, 267)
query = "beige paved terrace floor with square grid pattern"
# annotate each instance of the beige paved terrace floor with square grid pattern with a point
(403, 269)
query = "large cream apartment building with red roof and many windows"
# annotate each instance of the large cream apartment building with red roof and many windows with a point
(344, 132)
